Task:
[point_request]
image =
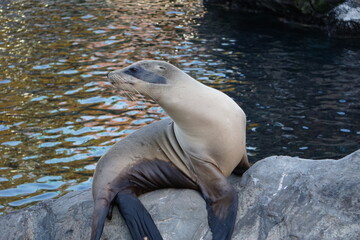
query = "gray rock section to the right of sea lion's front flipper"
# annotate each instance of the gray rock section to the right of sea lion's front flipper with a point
(292, 198)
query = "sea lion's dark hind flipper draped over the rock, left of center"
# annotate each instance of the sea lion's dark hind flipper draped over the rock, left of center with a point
(137, 218)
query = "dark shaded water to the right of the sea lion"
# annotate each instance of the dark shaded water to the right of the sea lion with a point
(299, 88)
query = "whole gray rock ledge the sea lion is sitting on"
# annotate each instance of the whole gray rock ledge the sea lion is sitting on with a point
(279, 198)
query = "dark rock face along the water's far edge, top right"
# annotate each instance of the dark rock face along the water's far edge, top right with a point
(340, 18)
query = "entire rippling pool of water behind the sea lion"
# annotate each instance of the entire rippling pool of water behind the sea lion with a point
(299, 88)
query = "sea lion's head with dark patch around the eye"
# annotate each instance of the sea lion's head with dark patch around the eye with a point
(148, 77)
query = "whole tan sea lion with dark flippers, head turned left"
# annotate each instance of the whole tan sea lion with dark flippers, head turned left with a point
(200, 145)
